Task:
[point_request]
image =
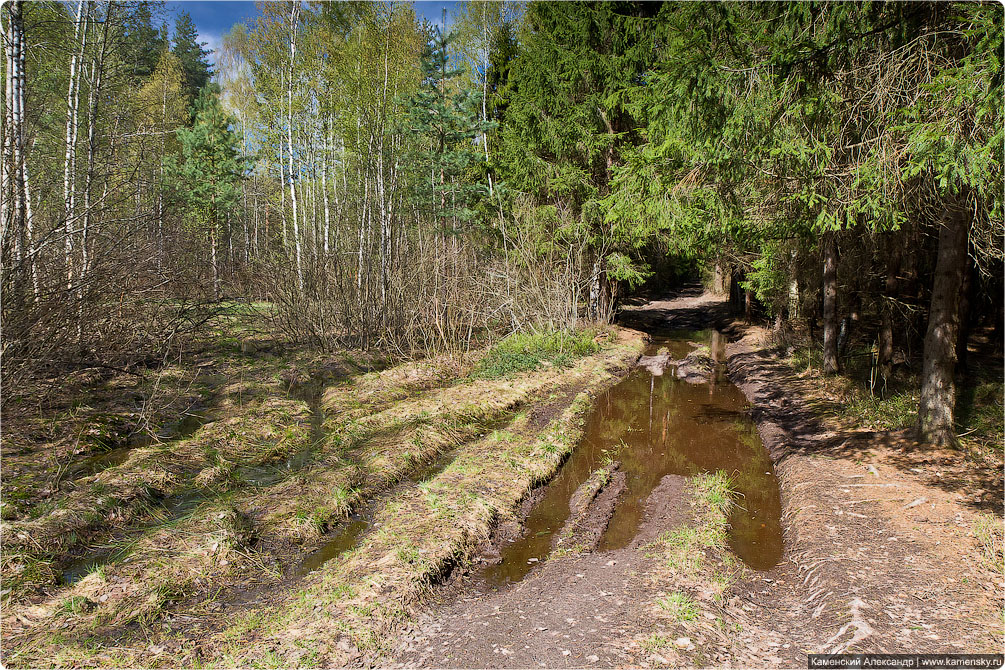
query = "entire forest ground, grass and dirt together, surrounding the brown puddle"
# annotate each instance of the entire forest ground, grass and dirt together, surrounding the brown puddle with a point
(316, 514)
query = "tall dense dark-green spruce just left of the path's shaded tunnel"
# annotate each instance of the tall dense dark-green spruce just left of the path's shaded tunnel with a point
(564, 128)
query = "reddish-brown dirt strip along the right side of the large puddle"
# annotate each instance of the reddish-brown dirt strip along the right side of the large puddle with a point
(881, 552)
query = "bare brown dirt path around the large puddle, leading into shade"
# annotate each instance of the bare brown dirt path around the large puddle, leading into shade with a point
(881, 555)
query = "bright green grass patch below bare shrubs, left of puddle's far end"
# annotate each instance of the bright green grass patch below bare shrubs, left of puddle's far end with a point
(524, 352)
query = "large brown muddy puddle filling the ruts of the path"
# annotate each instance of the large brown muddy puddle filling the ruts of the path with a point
(656, 425)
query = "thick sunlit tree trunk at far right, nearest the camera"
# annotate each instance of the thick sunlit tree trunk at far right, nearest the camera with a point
(935, 415)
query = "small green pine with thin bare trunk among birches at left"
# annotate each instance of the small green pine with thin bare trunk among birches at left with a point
(212, 170)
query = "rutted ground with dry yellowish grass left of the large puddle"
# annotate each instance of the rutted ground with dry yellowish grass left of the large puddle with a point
(293, 522)
